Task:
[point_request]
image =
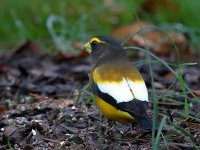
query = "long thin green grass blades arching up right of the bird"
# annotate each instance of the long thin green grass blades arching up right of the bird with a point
(156, 138)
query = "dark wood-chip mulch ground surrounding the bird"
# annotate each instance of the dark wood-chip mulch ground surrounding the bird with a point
(41, 106)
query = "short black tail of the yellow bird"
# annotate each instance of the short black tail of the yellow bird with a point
(145, 123)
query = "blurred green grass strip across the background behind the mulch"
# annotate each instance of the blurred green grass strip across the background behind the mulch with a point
(22, 20)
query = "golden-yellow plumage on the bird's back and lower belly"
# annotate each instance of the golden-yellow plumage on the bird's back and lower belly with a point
(106, 74)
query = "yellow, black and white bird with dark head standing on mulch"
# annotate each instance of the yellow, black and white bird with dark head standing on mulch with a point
(118, 88)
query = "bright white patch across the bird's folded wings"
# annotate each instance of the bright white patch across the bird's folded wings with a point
(121, 92)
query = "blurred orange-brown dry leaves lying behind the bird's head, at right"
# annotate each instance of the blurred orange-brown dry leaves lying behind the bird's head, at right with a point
(159, 42)
